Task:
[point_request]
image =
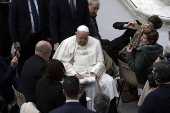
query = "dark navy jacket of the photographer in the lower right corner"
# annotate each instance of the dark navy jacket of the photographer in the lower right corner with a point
(157, 101)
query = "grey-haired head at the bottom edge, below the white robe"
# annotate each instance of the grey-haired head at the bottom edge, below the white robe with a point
(101, 103)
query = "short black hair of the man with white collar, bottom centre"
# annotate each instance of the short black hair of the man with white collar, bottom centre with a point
(71, 86)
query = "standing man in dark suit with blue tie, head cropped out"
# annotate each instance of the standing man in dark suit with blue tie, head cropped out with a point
(28, 22)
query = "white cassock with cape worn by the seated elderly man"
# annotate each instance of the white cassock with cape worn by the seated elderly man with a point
(84, 60)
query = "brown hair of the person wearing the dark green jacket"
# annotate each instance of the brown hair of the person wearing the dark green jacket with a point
(152, 35)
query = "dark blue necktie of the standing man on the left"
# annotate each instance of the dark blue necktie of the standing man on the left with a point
(35, 16)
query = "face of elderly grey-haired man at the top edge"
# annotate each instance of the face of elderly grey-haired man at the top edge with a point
(93, 8)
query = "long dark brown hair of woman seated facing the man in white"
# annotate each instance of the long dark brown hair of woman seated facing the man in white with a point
(54, 70)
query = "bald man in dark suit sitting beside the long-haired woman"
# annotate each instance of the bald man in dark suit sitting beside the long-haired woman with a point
(33, 69)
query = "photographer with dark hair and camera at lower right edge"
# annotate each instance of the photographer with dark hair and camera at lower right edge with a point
(158, 101)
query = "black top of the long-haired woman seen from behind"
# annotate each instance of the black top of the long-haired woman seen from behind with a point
(49, 95)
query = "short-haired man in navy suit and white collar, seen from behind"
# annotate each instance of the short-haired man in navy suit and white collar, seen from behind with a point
(71, 89)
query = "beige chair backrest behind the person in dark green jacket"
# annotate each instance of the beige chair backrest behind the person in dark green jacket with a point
(128, 75)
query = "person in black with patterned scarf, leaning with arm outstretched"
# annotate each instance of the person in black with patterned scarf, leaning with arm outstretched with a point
(119, 43)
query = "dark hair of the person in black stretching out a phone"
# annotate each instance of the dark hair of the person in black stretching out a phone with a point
(156, 21)
